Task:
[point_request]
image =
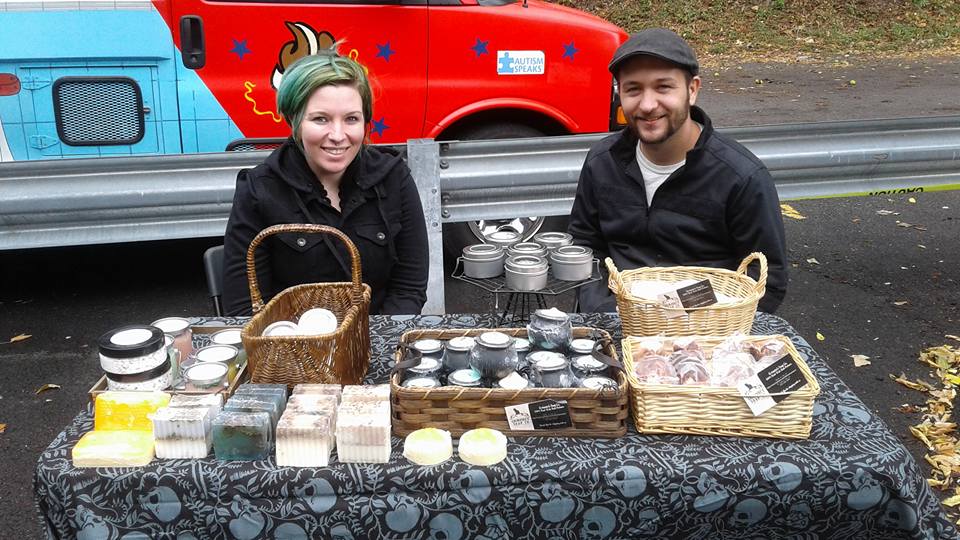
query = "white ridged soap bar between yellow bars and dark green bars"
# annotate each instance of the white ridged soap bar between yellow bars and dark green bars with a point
(182, 432)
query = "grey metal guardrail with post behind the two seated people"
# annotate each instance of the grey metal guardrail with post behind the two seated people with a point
(105, 200)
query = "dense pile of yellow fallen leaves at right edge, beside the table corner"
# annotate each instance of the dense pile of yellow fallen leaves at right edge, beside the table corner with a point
(936, 430)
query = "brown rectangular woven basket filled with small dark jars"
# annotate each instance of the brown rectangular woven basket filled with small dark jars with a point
(593, 413)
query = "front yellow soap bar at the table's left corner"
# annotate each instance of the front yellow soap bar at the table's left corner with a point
(114, 449)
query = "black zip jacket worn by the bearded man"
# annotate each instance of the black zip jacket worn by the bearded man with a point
(713, 211)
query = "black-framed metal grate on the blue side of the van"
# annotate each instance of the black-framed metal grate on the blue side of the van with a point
(98, 111)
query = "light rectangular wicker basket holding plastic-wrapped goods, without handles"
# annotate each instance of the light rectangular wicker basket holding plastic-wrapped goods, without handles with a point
(709, 410)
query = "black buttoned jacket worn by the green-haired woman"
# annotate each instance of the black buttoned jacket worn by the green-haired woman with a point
(380, 213)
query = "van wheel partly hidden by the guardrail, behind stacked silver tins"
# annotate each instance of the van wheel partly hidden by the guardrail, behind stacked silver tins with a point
(456, 236)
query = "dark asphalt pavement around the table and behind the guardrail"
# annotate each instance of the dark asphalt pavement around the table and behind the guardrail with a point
(873, 276)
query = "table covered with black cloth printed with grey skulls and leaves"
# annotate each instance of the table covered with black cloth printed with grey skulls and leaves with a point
(851, 479)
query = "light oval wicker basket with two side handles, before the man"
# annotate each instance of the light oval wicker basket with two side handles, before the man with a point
(645, 317)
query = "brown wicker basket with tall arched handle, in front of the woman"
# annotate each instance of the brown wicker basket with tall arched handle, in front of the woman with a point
(340, 357)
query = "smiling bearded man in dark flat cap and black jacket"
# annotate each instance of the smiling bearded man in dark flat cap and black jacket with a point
(668, 190)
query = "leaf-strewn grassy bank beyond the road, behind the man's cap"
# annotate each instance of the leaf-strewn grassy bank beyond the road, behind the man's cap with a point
(744, 30)
